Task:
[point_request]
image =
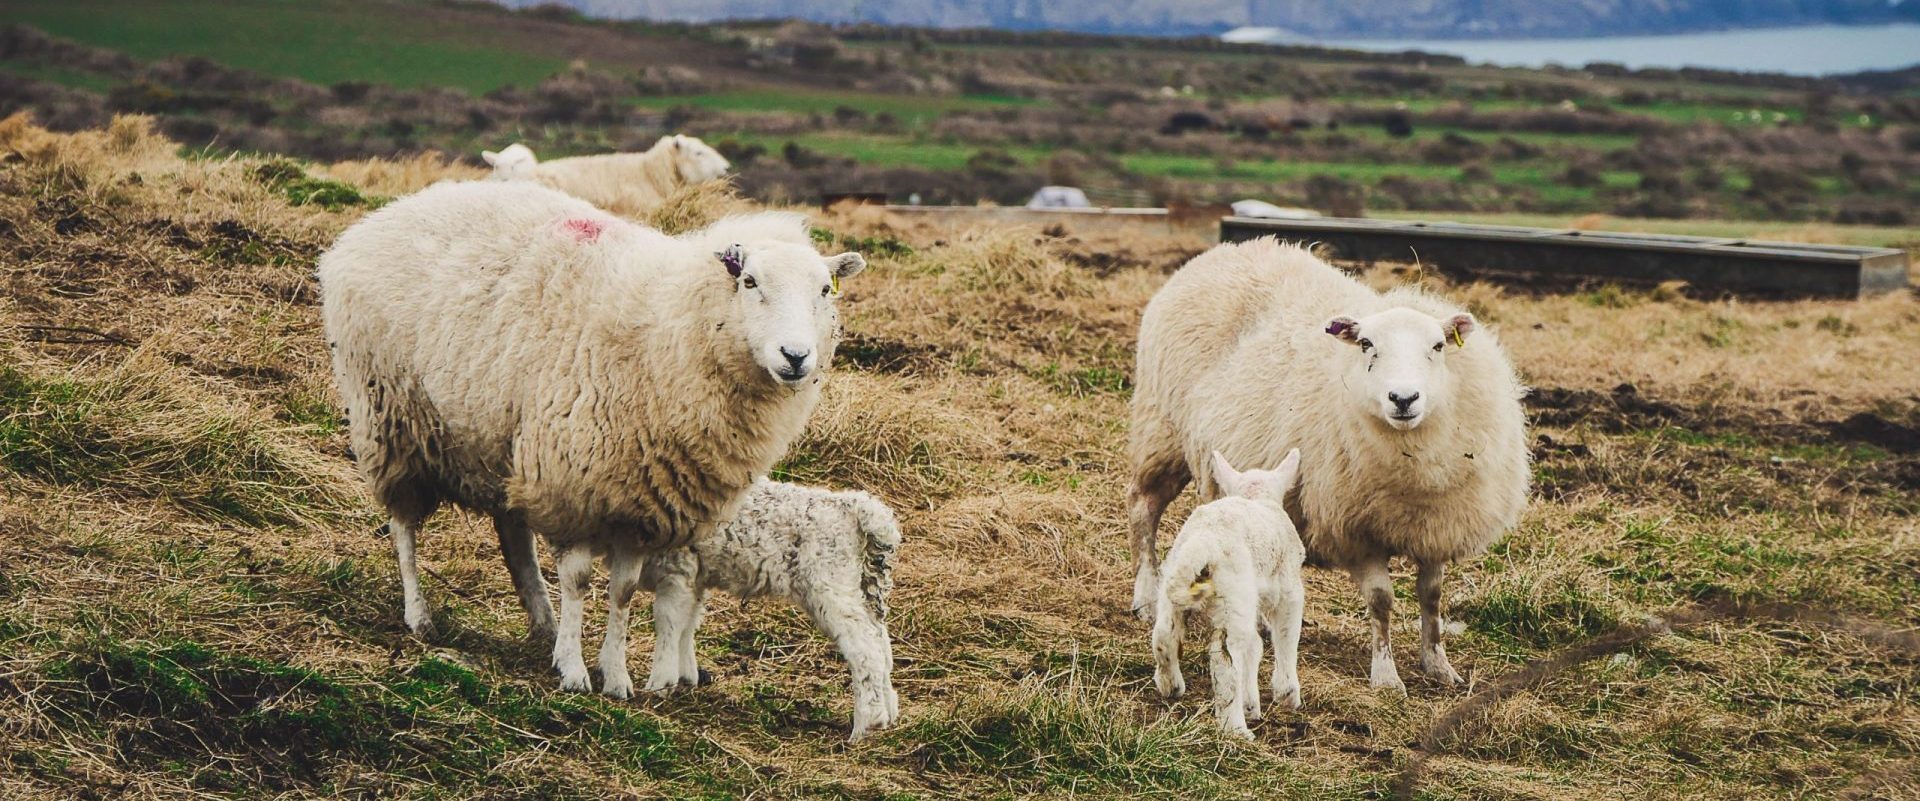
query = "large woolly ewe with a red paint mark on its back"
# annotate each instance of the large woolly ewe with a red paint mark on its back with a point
(523, 354)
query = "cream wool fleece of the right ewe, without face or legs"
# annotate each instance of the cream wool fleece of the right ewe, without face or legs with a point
(1236, 358)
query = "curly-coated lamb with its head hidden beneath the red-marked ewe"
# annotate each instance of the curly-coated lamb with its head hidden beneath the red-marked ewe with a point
(827, 552)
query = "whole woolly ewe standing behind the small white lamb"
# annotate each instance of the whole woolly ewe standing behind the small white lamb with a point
(1414, 422)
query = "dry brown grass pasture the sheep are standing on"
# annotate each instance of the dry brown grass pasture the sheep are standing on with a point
(156, 644)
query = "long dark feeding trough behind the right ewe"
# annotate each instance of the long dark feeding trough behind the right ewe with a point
(1566, 258)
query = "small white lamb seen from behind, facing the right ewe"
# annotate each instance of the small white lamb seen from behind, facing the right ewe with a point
(1237, 560)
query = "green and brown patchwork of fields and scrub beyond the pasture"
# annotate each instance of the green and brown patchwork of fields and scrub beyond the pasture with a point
(969, 116)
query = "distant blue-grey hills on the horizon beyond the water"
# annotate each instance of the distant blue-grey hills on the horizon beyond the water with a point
(1314, 18)
